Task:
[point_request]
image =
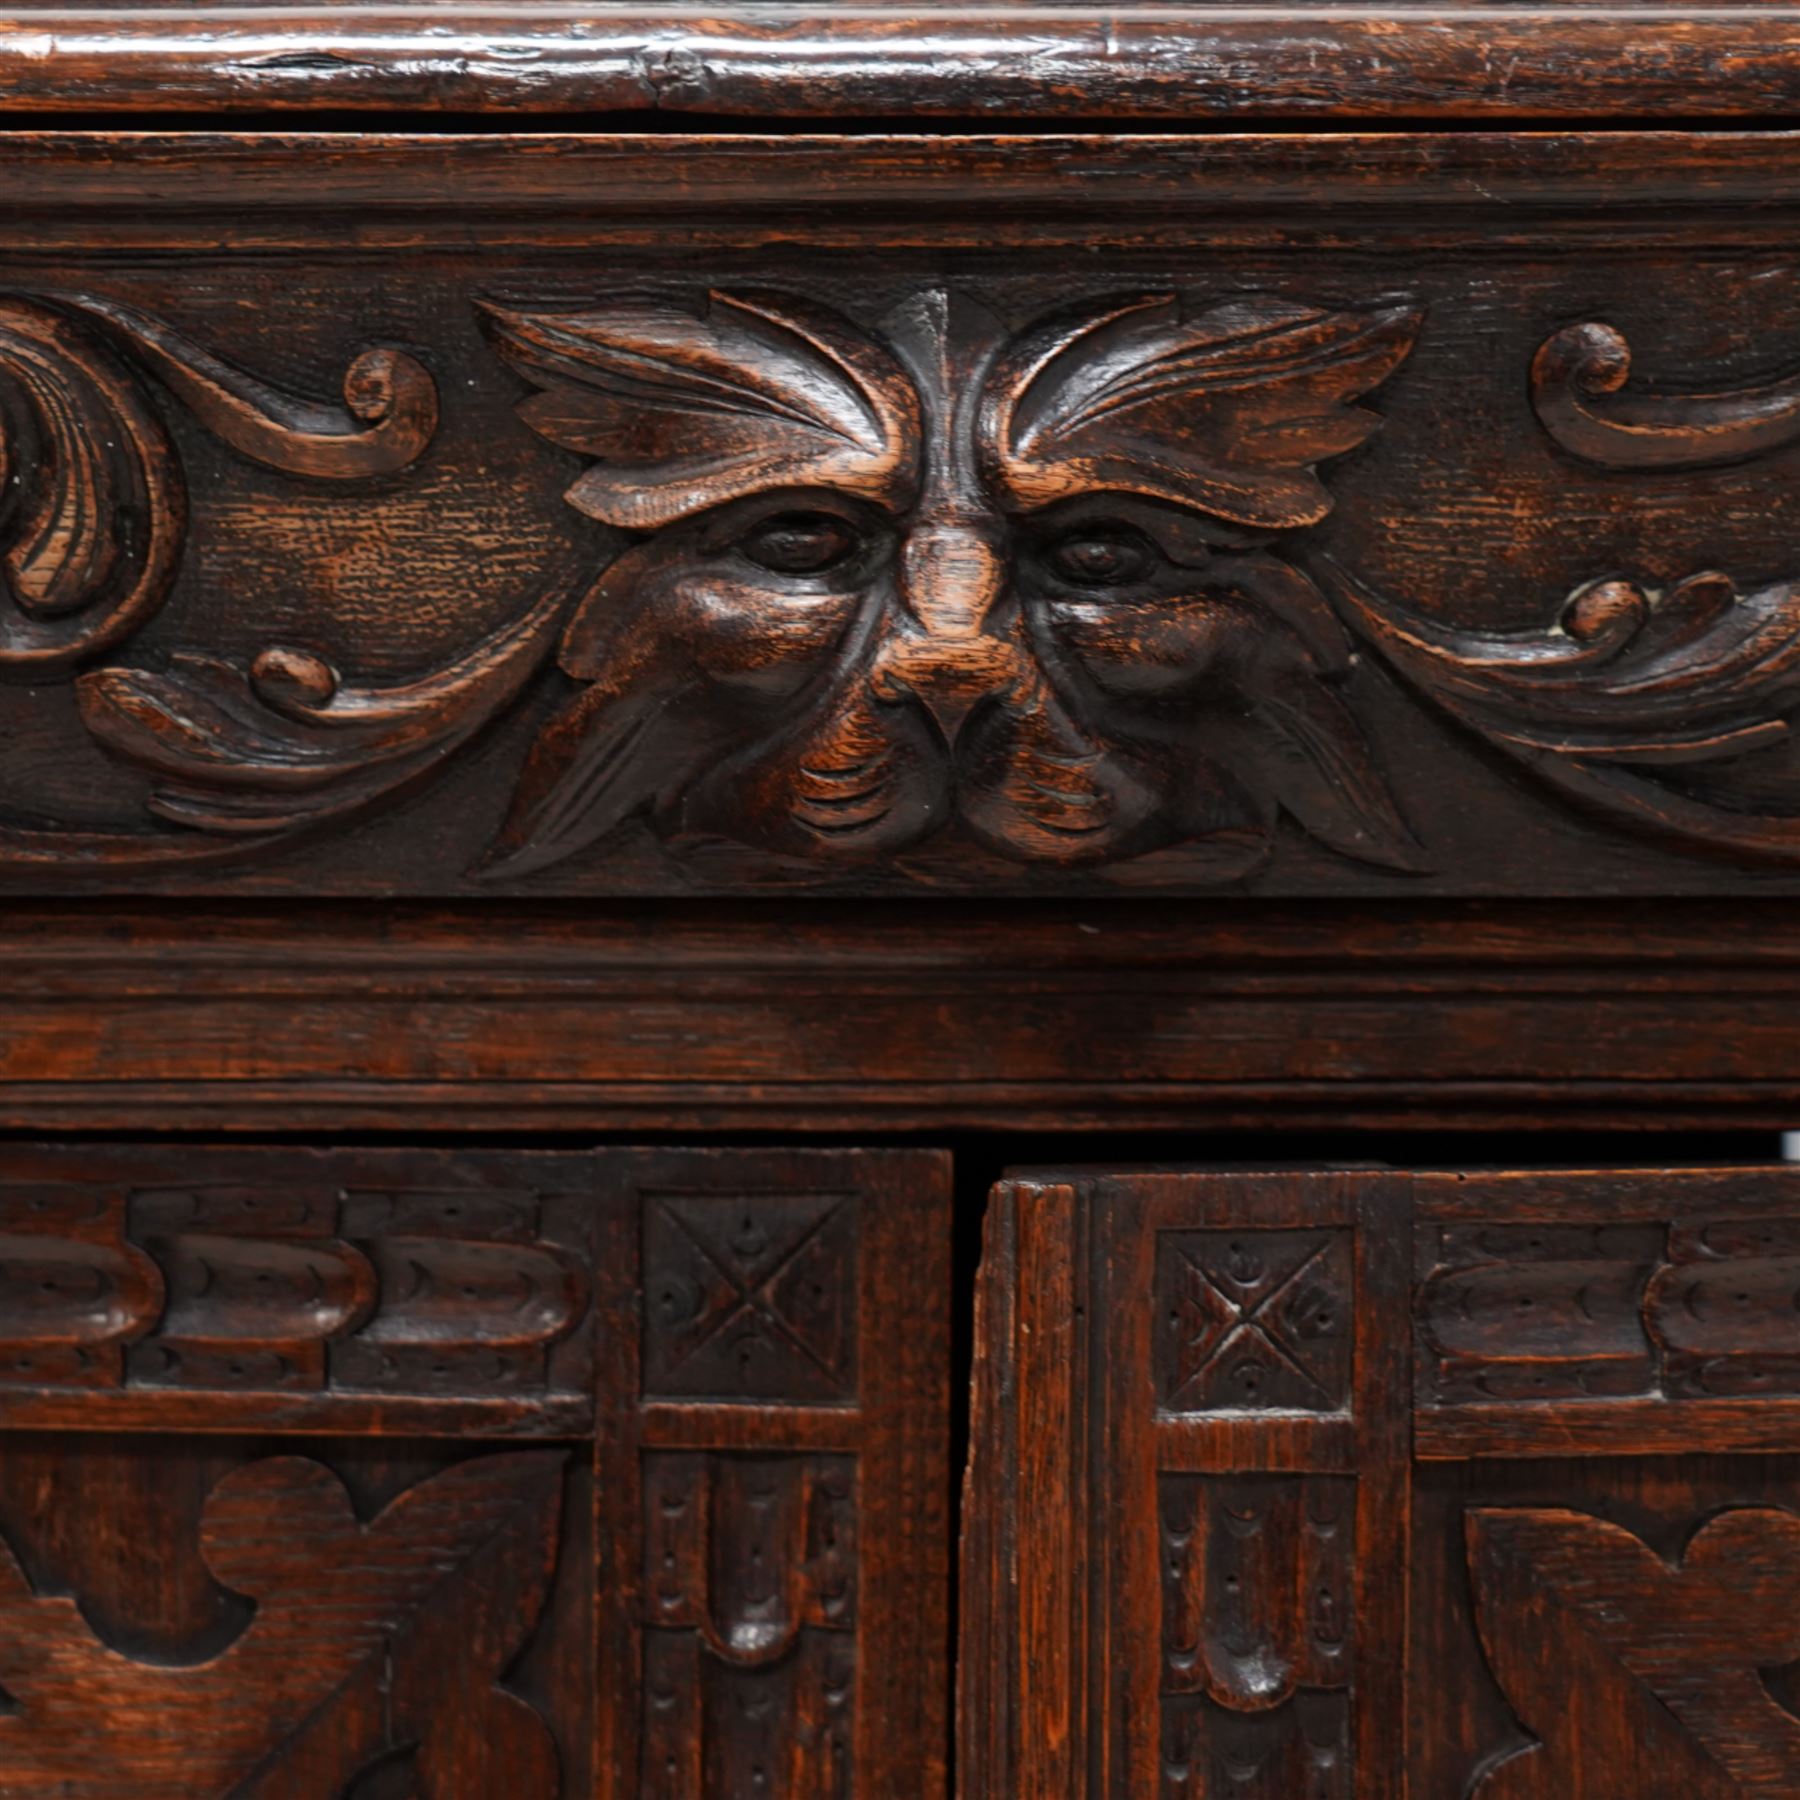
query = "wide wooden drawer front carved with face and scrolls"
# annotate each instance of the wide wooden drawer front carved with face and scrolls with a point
(1063, 516)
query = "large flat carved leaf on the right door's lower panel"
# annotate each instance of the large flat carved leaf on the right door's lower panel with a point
(1637, 1677)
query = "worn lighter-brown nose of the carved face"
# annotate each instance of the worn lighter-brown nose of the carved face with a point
(953, 577)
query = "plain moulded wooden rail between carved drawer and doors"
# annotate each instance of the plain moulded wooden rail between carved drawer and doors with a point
(831, 1018)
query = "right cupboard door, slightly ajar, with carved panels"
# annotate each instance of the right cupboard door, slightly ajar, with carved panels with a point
(1349, 1486)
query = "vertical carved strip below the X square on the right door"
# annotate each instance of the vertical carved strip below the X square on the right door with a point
(1257, 1635)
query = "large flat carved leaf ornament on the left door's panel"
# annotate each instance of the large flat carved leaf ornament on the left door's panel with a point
(370, 1641)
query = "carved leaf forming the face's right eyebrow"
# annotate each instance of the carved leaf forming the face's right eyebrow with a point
(1227, 411)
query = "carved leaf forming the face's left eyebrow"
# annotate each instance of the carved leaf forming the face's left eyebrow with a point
(687, 411)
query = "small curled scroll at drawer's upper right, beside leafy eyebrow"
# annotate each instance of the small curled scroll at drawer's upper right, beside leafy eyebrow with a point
(1579, 381)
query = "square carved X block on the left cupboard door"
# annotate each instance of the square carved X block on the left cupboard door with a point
(751, 1297)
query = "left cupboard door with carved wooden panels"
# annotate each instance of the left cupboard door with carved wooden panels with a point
(472, 1477)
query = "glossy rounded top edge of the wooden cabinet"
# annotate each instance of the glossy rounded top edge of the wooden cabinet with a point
(1005, 66)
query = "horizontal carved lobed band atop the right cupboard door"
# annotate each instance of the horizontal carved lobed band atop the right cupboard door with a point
(1689, 1311)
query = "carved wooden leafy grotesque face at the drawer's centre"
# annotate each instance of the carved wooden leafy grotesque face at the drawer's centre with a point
(951, 580)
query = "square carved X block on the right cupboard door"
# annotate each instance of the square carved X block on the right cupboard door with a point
(1254, 1322)
